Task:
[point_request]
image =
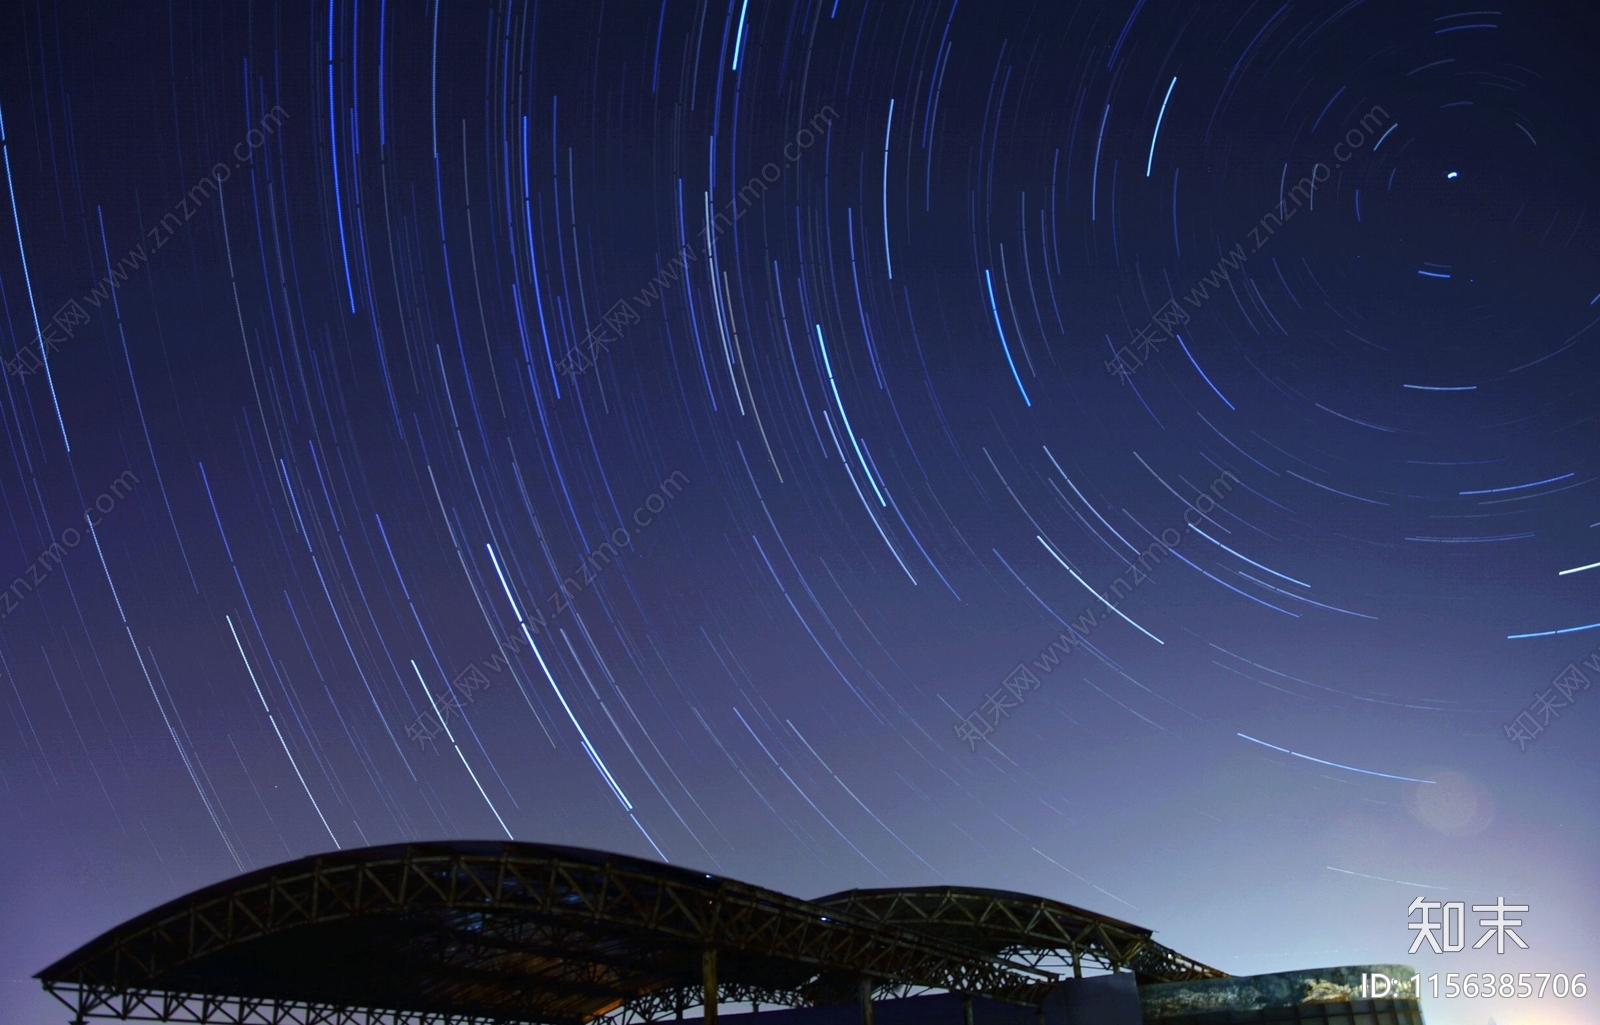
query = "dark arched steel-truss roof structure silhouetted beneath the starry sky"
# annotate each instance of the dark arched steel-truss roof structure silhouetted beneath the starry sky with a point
(455, 933)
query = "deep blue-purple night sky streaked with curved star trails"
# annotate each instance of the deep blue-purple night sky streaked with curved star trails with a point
(1134, 453)
